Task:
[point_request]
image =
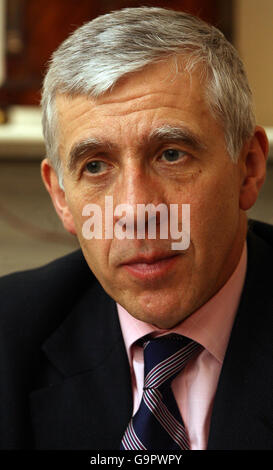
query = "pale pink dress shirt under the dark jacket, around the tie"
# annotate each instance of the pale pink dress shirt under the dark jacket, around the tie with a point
(194, 388)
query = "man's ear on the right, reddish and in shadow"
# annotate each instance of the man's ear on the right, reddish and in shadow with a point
(253, 160)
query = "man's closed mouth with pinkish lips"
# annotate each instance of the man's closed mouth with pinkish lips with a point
(150, 267)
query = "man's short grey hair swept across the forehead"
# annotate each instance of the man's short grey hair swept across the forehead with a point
(100, 52)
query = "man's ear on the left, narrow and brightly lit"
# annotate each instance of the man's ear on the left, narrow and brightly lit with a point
(57, 194)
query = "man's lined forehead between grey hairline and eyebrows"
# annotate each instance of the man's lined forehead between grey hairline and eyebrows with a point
(158, 94)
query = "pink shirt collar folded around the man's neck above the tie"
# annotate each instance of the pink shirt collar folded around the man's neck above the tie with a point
(210, 325)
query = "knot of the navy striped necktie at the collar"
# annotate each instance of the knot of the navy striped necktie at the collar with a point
(165, 357)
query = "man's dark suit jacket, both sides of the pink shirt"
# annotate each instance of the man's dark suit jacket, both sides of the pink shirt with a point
(65, 378)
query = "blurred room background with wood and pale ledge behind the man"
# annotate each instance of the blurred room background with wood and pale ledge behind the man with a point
(30, 30)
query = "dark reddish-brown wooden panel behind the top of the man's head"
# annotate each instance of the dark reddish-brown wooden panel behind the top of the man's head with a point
(37, 27)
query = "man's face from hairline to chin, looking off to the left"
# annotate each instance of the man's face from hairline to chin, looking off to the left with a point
(135, 165)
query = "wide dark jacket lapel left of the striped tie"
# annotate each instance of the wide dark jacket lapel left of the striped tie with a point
(87, 402)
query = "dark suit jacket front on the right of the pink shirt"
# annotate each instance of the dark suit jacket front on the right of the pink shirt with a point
(242, 413)
